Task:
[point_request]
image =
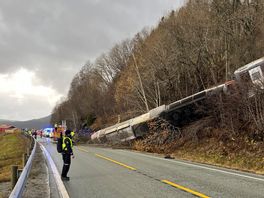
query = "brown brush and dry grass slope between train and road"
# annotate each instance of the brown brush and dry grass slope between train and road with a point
(232, 136)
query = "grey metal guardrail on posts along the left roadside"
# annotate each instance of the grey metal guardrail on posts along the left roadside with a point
(20, 185)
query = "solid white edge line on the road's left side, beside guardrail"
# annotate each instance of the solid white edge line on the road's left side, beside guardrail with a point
(61, 188)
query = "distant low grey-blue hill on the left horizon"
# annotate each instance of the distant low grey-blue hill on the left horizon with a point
(35, 123)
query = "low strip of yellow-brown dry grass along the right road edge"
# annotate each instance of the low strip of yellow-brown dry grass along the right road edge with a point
(247, 158)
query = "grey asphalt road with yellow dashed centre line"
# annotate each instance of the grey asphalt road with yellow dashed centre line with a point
(105, 173)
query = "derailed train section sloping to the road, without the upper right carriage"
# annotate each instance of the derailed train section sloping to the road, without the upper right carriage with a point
(137, 127)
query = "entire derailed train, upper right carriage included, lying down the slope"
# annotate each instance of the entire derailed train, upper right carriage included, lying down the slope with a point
(181, 110)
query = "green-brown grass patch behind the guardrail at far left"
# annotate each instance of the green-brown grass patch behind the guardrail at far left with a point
(12, 147)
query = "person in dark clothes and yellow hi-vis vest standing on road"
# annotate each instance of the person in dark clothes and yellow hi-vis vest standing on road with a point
(67, 153)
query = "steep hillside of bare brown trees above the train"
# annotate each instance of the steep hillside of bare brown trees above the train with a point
(193, 48)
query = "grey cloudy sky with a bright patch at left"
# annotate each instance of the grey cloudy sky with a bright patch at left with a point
(43, 44)
